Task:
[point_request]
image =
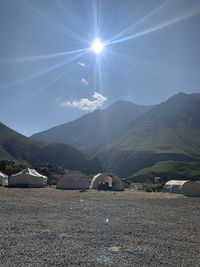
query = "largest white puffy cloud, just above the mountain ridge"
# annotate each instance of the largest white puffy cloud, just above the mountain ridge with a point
(87, 104)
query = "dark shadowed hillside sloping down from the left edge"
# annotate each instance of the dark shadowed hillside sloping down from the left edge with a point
(14, 146)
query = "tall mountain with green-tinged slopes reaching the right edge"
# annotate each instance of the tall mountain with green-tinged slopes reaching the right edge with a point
(169, 131)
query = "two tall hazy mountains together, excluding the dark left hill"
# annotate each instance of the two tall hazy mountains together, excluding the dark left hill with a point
(128, 138)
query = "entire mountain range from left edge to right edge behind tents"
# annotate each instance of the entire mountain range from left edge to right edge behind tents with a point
(128, 139)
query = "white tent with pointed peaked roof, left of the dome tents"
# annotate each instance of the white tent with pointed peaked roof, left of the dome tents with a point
(28, 178)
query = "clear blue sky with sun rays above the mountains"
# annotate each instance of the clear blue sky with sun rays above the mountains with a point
(50, 75)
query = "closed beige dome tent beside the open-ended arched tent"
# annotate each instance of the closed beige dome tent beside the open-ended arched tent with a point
(73, 180)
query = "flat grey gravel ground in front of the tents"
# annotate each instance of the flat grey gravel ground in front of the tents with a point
(49, 227)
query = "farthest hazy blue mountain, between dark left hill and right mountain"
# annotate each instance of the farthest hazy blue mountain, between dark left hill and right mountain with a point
(95, 130)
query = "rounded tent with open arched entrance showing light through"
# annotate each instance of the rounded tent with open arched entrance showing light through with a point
(112, 181)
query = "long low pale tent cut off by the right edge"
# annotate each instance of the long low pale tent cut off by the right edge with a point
(185, 187)
